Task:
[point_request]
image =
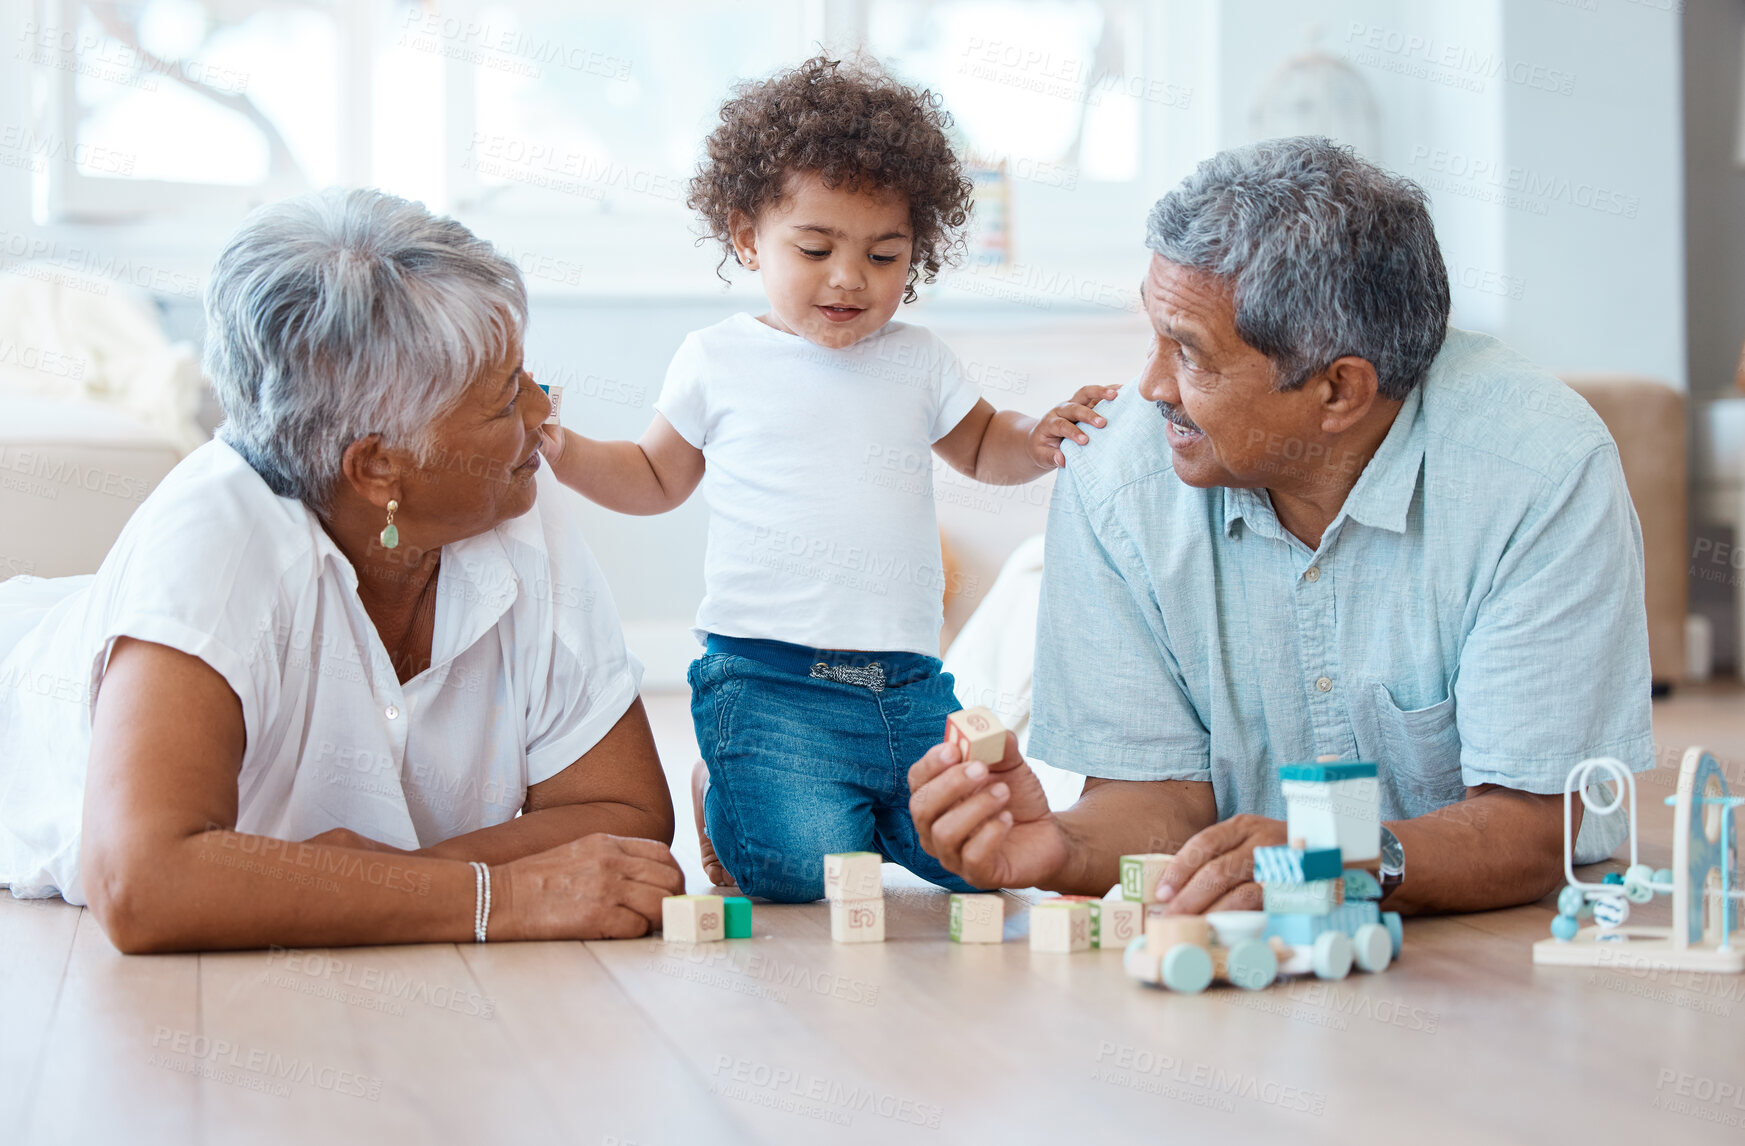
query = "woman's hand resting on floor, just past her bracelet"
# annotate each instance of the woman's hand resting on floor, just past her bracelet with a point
(598, 887)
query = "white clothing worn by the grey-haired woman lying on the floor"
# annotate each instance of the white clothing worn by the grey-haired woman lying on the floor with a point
(530, 671)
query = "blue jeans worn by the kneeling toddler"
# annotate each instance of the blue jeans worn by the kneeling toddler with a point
(804, 767)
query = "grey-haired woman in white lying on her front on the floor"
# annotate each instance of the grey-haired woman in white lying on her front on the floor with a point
(345, 678)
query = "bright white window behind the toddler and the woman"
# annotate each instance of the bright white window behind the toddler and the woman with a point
(571, 126)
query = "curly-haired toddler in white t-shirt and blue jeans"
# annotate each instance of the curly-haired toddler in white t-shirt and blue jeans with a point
(812, 432)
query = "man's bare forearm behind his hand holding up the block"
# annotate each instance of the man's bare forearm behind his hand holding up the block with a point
(1125, 817)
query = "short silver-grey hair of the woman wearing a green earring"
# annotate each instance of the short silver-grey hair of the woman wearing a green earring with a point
(348, 313)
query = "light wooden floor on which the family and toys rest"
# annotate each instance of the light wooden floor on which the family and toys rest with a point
(790, 1039)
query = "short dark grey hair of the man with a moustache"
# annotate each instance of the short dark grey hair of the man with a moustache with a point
(1327, 254)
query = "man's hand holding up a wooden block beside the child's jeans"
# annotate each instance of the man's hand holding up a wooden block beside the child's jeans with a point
(987, 822)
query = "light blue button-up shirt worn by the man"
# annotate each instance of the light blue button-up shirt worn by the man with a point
(1474, 615)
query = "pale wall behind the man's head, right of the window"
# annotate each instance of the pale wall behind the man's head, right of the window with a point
(1549, 137)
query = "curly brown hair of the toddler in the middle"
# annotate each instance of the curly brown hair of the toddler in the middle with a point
(851, 125)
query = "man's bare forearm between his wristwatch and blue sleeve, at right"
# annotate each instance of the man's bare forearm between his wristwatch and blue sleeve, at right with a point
(1496, 849)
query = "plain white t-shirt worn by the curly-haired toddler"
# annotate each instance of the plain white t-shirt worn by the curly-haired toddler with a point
(819, 479)
